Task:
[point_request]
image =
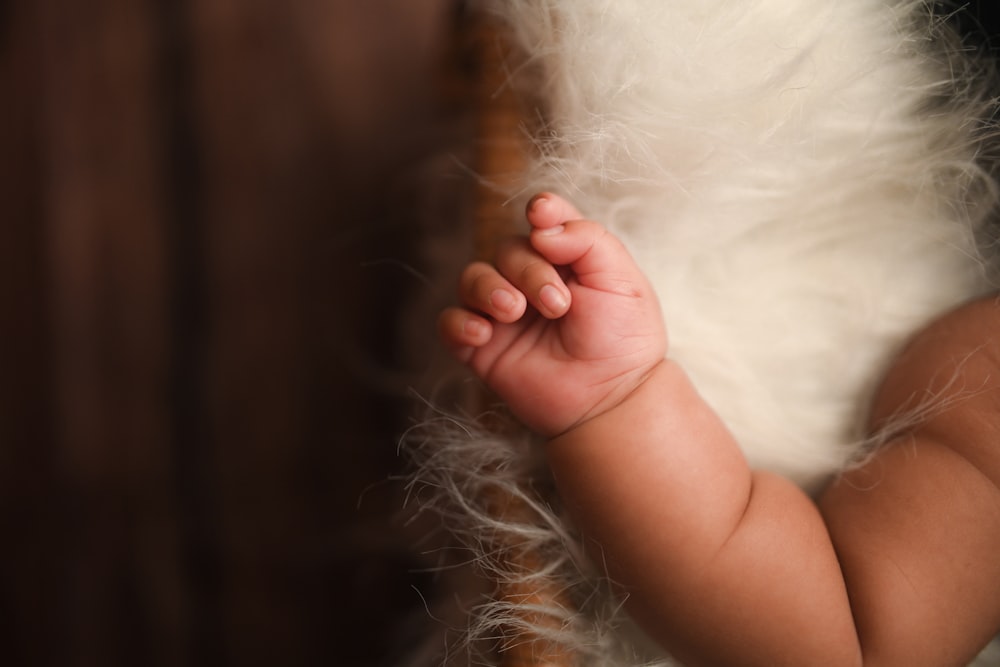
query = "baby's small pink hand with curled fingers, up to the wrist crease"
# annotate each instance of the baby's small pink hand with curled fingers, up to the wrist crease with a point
(564, 326)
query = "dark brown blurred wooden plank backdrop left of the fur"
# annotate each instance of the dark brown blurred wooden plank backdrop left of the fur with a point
(210, 209)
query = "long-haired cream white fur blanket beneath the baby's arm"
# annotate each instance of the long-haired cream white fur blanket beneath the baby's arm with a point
(805, 183)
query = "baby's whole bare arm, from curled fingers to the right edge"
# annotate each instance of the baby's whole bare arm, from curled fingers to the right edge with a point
(897, 563)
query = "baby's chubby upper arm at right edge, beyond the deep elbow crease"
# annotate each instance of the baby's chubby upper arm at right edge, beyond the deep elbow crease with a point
(917, 528)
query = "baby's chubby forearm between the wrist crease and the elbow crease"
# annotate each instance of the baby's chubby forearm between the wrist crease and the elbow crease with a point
(719, 562)
